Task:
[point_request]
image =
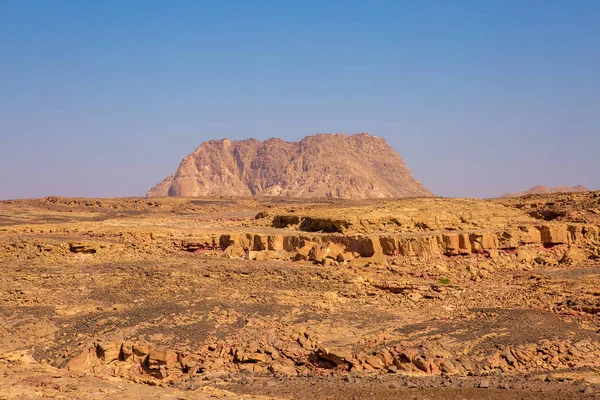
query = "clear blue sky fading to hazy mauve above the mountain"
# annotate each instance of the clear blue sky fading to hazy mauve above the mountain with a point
(104, 98)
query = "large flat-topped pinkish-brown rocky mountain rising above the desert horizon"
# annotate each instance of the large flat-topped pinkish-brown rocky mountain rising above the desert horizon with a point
(356, 166)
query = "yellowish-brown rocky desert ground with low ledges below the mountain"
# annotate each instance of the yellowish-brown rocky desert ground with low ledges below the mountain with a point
(286, 298)
